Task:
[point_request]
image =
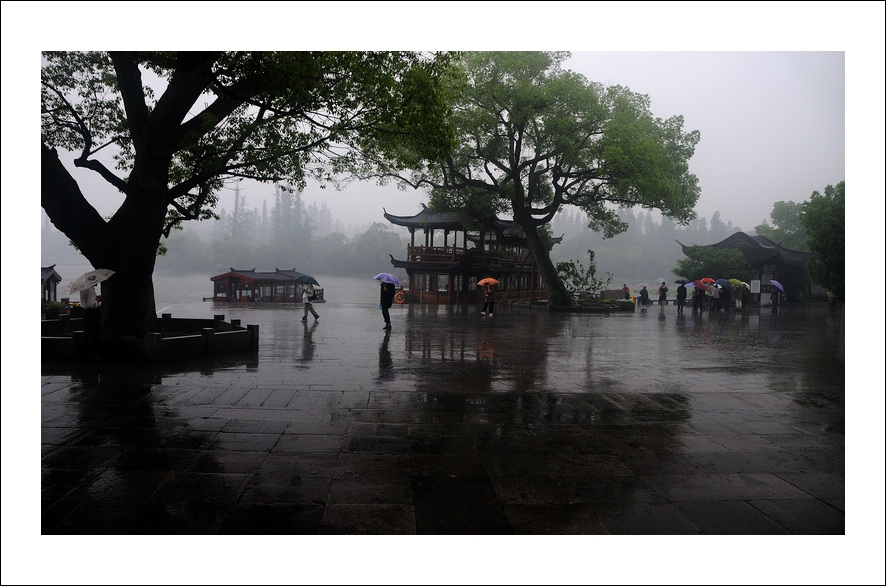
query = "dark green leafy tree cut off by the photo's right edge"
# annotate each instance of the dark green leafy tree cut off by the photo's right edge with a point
(824, 217)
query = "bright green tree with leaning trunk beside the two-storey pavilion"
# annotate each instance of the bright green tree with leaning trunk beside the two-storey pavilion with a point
(533, 138)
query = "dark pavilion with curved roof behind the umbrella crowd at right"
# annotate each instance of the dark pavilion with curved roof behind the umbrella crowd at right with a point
(769, 260)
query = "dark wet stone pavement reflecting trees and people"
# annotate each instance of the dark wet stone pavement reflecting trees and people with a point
(529, 422)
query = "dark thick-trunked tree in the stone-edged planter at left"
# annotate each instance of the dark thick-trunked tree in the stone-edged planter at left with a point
(212, 117)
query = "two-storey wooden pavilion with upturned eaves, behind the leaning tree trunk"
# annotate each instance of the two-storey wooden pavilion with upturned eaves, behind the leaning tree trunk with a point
(448, 274)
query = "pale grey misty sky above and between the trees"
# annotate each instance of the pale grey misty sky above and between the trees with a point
(772, 128)
